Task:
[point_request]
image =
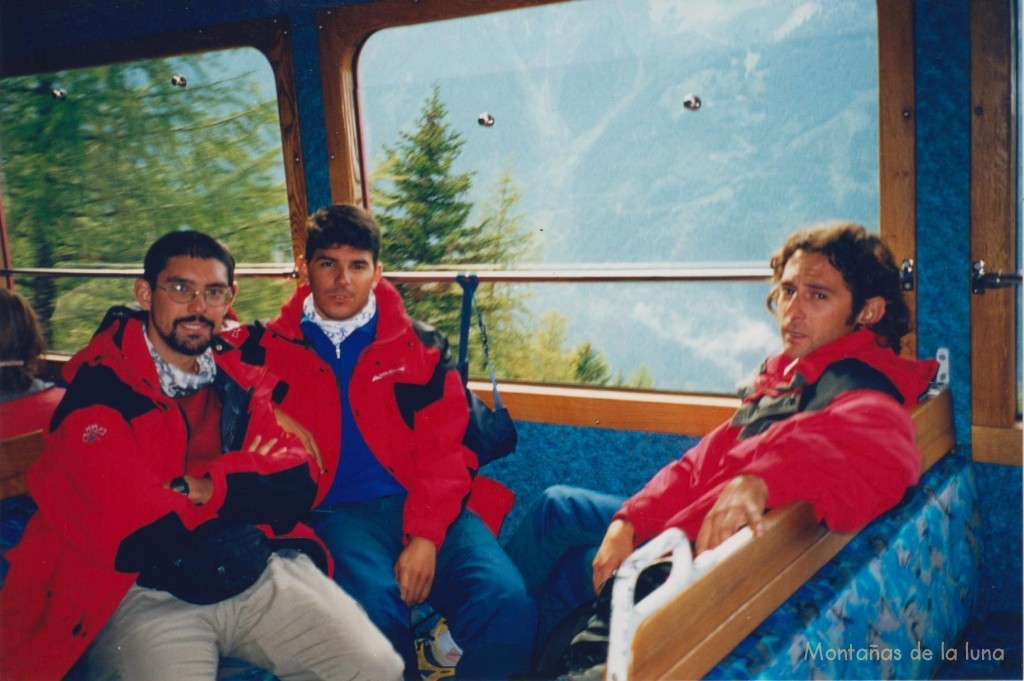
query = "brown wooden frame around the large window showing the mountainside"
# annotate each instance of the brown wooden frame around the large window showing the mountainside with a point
(345, 30)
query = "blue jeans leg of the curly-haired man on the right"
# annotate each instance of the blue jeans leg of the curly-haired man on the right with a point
(554, 548)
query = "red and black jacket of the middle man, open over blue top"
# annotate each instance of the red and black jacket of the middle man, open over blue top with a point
(406, 373)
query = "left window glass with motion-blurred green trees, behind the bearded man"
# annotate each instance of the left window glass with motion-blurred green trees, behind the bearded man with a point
(100, 162)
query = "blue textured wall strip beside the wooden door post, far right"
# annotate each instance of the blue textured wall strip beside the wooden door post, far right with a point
(943, 72)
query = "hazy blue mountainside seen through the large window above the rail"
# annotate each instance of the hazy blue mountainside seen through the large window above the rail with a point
(590, 121)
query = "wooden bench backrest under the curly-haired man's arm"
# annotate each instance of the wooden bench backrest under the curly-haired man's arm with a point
(687, 639)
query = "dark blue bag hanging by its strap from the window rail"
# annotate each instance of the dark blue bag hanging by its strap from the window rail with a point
(491, 433)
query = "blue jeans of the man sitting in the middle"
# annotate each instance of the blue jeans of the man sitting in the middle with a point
(477, 587)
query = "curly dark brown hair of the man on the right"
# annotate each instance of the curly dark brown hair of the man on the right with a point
(868, 268)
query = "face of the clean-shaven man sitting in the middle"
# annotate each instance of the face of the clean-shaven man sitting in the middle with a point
(342, 279)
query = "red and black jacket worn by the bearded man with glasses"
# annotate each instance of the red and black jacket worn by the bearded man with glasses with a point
(101, 482)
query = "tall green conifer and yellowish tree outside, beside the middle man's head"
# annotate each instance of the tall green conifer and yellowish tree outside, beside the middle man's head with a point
(421, 204)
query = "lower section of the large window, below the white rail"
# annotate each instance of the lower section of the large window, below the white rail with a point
(658, 338)
